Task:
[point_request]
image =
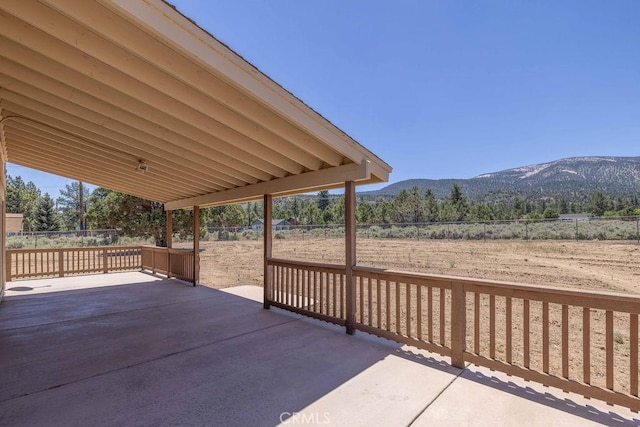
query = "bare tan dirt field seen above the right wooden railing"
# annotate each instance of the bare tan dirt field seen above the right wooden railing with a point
(603, 265)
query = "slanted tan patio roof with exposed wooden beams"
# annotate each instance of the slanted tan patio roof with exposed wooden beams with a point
(135, 97)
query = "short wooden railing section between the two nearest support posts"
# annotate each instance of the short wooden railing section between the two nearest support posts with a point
(316, 290)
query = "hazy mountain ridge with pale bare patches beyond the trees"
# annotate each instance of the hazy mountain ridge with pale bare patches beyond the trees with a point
(567, 177)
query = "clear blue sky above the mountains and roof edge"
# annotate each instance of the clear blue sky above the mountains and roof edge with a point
(448, 89)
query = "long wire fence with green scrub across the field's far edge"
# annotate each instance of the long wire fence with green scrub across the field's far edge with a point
(603, 228)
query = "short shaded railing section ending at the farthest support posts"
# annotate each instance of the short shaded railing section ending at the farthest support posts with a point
(176, 263)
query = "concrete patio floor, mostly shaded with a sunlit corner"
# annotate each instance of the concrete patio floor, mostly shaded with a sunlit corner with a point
(134, 349)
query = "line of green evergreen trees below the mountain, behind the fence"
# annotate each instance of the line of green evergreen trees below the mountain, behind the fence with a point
(136, 217)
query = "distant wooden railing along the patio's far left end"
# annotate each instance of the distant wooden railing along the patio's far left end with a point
(37, 263)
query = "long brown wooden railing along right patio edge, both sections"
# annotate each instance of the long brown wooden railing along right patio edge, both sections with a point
(580, 341)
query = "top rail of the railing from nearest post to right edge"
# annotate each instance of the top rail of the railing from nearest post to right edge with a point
(587, 298)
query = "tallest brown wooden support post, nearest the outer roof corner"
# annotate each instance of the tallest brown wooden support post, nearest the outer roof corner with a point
(350, 252)
